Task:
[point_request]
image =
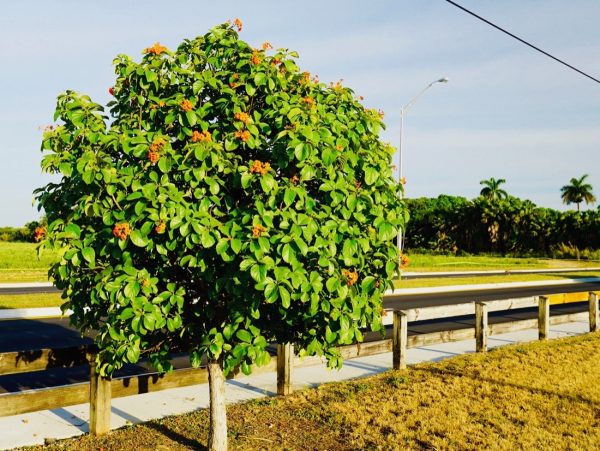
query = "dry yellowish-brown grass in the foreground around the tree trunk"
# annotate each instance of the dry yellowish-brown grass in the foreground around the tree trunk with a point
(542, 395)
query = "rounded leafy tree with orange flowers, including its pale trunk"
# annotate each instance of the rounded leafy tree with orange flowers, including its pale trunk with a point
(231, 201)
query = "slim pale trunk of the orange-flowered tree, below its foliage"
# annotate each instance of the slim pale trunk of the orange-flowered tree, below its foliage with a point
(217, 438)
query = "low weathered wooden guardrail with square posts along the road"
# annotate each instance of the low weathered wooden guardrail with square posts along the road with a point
(99, 390)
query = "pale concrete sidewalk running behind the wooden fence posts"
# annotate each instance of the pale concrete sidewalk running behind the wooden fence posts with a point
(34, 428)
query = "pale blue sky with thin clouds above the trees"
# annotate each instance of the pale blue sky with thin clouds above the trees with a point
(507, 112)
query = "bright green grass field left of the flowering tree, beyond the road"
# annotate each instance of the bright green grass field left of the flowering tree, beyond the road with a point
(19, 263)
